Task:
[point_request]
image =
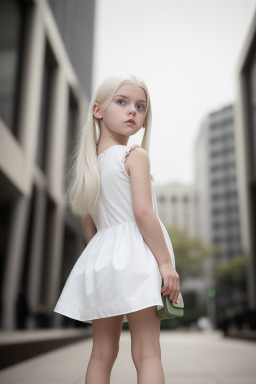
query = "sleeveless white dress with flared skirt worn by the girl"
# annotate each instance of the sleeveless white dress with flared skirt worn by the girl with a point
(117, 272)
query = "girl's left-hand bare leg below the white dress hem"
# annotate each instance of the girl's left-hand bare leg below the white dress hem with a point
(106, 335)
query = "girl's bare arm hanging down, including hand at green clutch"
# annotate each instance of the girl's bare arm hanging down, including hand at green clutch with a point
(147, 221)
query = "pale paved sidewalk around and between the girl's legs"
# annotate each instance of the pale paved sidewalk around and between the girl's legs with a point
(187, 357)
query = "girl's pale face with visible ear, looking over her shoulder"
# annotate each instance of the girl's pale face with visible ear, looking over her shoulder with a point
(128, 103)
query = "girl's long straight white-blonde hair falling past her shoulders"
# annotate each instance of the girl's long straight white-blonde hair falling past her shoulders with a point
(84, 177)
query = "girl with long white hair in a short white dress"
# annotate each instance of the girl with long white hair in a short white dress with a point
(118, 277)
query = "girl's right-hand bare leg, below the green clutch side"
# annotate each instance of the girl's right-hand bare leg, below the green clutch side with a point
(146, 351)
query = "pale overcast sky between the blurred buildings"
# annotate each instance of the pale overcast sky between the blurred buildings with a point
(187, 52)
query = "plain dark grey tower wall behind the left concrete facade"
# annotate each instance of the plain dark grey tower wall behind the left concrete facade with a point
(75, 20)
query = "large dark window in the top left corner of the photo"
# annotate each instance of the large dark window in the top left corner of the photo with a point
(12, 37)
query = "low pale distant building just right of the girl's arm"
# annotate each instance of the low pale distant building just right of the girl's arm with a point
(178, 207)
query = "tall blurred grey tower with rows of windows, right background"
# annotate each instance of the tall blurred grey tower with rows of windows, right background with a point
(216, 181)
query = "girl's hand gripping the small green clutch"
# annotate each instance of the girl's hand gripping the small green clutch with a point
(171, 280)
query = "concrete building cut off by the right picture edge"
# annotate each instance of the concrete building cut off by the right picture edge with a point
(246, 149)
